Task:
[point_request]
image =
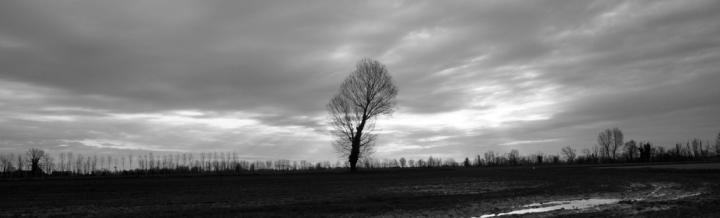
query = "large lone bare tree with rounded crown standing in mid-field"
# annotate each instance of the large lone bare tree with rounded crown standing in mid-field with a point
(369, 91)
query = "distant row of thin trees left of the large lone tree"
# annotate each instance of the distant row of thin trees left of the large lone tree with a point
(37, 163)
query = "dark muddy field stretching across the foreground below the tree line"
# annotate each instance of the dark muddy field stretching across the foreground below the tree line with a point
(457, 192)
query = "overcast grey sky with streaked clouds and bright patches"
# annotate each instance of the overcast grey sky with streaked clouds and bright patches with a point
(121, 77)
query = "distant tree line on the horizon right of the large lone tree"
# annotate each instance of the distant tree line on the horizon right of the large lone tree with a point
(611, 148)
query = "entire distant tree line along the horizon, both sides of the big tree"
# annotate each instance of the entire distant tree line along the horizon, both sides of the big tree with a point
(611, 148)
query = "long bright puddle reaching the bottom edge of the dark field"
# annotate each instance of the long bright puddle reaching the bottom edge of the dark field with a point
(556, 205)
